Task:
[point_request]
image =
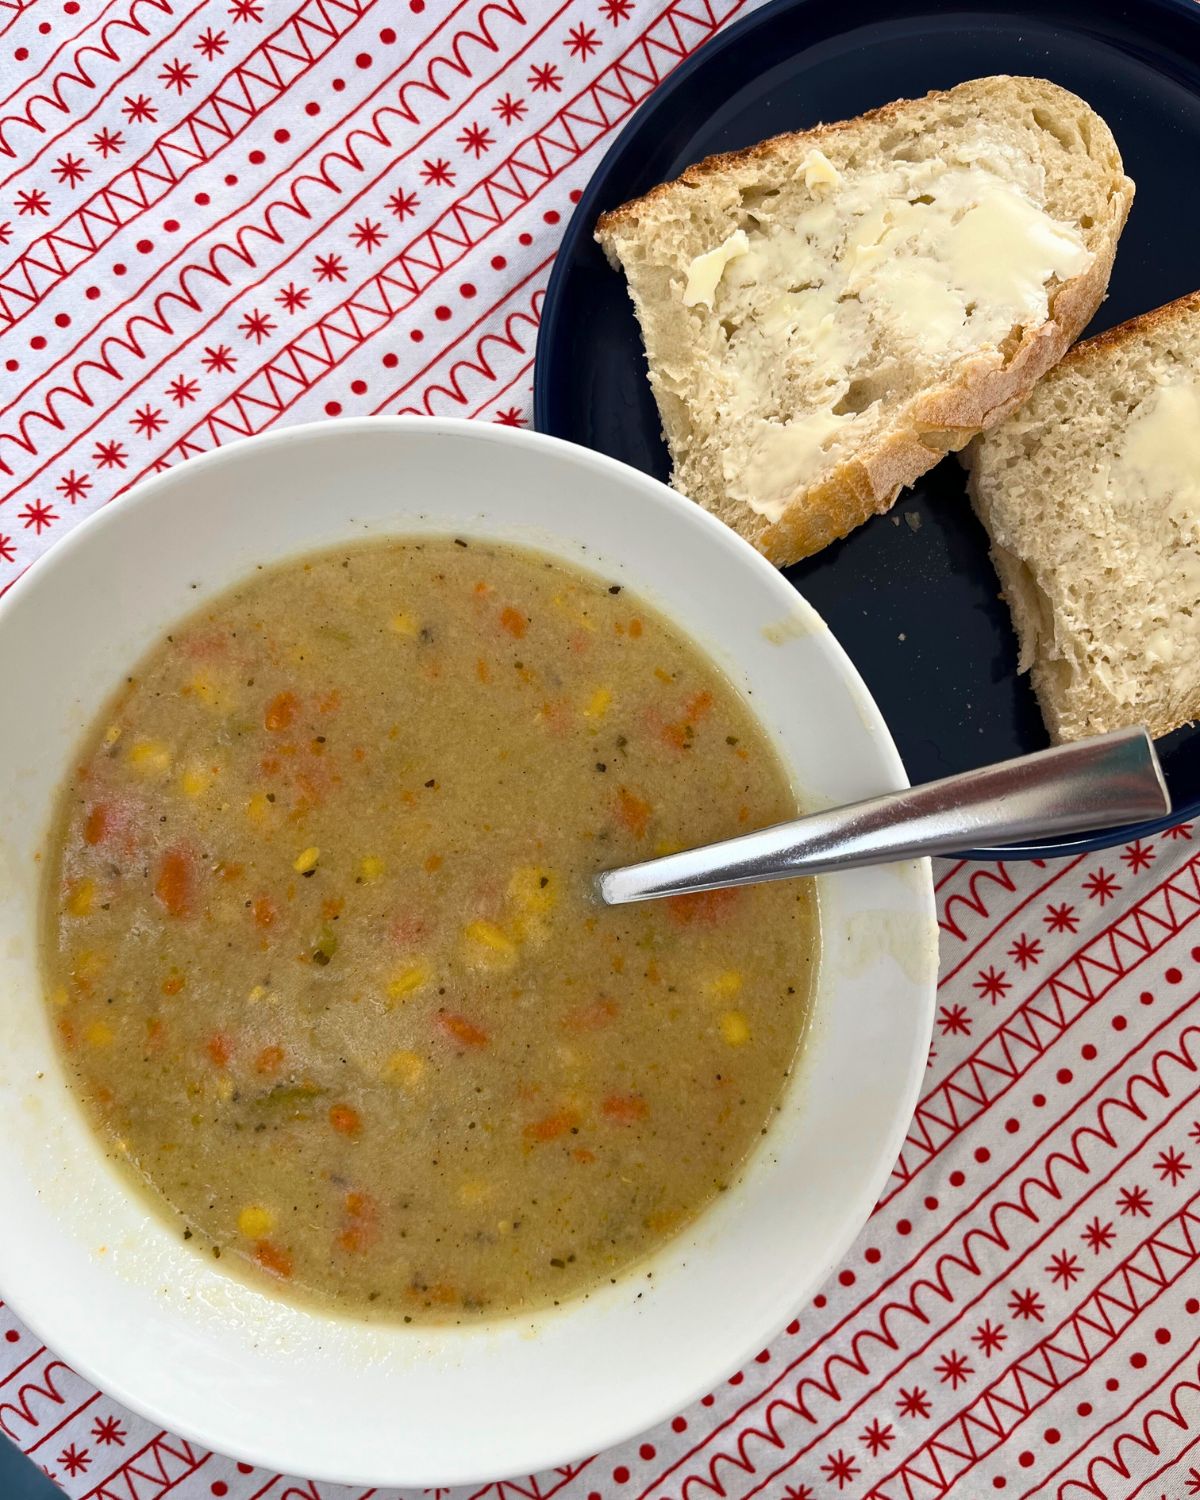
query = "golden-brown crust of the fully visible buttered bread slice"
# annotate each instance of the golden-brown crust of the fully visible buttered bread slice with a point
(943, 419)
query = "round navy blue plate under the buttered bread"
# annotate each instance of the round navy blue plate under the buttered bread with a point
(911, 596)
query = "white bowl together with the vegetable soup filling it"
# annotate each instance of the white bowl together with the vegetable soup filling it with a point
(346, 1132)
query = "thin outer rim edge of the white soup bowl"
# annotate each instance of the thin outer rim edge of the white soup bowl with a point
(889, 1151)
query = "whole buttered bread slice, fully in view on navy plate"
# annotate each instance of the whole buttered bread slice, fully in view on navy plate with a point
(830, 313)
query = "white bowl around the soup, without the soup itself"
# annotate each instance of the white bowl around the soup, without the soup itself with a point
(118, 1295)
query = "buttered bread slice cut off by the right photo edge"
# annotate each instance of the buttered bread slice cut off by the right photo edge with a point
(1091, 496)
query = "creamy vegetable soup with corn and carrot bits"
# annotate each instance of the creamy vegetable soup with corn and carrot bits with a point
(322, 953)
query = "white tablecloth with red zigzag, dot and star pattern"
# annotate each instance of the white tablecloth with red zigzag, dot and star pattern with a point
(224, 215)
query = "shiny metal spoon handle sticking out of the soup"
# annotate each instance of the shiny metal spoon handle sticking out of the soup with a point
(1093, 784)
